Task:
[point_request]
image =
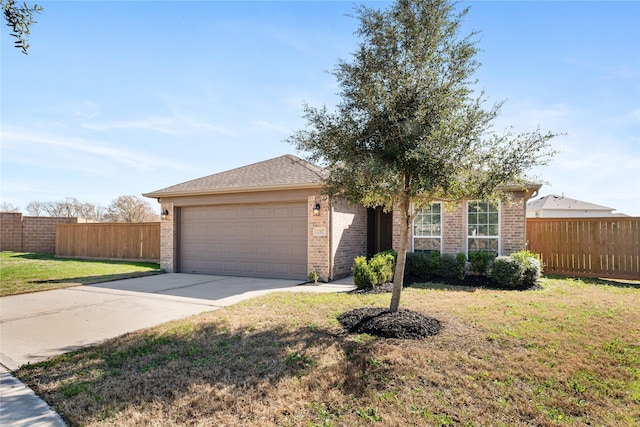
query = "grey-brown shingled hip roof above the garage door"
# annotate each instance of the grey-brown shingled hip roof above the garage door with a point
(282, 172)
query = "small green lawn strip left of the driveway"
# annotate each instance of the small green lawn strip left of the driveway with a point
(22, 273)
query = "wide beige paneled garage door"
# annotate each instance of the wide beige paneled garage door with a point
(267, 240)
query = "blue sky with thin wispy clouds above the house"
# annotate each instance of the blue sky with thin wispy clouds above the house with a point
(125, 97)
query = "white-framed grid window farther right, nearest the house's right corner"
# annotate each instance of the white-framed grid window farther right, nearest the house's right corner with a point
(483, 227)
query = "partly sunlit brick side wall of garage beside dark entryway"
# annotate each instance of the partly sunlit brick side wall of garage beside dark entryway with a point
(348, 236)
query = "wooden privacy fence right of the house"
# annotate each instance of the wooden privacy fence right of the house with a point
(589, 247)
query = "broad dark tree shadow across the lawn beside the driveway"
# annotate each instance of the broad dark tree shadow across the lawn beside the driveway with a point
(193, 372)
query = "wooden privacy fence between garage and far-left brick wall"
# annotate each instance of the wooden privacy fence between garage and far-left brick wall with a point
(129, 241)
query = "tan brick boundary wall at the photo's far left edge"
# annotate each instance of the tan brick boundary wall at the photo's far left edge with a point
(29, 233)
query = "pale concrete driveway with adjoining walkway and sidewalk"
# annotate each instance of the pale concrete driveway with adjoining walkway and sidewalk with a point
(34, 327)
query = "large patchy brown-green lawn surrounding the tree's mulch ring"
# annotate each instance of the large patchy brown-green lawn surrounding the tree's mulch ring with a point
(567, 354)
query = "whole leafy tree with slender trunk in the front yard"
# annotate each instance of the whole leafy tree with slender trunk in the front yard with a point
(411, 126)
